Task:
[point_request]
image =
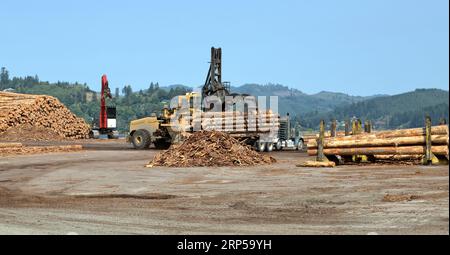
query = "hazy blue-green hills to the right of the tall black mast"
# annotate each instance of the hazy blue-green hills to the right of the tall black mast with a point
(402, 110)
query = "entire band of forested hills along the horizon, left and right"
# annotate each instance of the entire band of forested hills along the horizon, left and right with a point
(403, 110)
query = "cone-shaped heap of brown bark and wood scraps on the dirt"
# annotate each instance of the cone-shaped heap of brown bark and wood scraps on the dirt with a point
(210, 148)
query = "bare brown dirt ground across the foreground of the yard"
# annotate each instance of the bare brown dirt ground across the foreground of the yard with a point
(106, 189)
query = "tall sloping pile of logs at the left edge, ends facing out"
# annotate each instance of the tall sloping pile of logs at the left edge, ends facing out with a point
(18, 110)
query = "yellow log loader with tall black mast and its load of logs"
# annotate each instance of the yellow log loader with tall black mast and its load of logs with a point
(161, 130)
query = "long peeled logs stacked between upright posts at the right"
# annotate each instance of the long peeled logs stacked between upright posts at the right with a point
(400, 143)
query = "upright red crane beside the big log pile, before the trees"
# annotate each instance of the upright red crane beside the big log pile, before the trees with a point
(107, 121)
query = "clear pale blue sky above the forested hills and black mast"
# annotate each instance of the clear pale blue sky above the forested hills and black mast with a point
(359, 47)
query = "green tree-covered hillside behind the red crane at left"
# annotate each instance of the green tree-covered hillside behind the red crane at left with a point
(84, 102)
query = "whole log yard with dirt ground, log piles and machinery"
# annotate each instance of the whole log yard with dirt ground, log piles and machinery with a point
(214, 172)
